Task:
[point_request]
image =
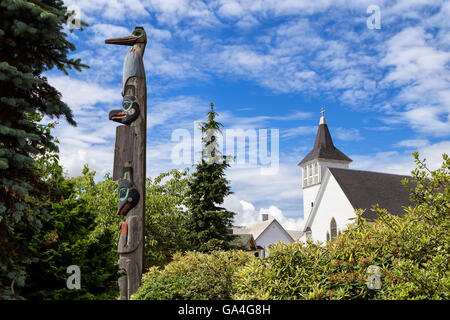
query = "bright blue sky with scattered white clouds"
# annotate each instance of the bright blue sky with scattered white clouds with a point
(267, 64)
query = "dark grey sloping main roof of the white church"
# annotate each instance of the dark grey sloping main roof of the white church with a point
(365, 188)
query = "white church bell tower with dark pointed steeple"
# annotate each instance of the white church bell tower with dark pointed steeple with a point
(324, 154)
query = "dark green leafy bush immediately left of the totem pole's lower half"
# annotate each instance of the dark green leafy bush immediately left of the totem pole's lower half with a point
(73, 234)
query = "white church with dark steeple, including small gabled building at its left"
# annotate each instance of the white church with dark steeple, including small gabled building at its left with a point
(331, 194)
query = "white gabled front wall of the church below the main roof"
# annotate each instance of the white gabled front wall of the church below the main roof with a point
(334, 204)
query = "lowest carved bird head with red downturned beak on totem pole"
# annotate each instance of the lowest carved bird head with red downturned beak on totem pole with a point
(128, 194)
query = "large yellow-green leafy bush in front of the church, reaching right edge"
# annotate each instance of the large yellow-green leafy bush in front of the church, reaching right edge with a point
(411, 251)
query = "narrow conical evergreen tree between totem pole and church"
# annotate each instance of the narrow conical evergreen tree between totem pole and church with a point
(209, 223)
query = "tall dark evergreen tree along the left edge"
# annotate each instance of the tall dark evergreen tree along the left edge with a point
(32, 41)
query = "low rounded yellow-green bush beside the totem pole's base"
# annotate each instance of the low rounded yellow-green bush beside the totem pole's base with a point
(194, 276)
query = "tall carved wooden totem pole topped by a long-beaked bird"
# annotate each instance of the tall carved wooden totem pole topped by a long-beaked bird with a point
(129, 161)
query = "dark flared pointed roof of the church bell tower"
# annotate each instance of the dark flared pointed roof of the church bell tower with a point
(324, 147)
